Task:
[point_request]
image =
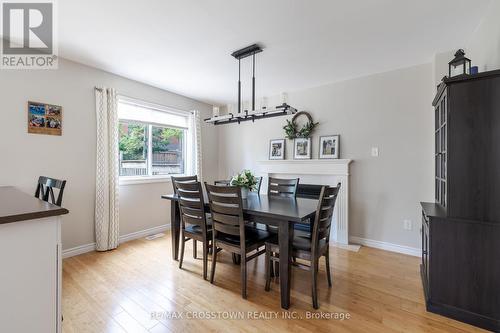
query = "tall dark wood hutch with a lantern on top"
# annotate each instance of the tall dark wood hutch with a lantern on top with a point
(461, 229)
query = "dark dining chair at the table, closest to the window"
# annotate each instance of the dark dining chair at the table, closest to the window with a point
(194, 224)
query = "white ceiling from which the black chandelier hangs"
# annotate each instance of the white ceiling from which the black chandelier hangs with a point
(184, 45)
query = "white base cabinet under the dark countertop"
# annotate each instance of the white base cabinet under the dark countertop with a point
(30, 276)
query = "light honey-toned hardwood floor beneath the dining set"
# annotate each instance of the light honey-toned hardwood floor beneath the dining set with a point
(135, 287)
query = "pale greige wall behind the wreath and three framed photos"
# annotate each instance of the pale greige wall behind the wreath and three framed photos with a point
(391, 111)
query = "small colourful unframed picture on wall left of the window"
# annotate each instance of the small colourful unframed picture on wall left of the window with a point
(44, 118)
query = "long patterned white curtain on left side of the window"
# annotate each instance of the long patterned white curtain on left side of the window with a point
(106, 193)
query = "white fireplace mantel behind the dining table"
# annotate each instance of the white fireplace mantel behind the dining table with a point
(328, 172)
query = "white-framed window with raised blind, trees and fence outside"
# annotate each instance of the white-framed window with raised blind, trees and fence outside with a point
(152, 140)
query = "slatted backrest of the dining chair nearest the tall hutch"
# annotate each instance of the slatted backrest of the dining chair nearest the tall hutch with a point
(324, 213)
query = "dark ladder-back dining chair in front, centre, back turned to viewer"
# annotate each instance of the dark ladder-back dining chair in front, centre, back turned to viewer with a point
(229, 231)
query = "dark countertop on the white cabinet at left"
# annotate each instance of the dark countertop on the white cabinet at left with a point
(16, 206)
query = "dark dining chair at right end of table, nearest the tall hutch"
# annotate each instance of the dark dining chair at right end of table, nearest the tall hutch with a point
(310, 247)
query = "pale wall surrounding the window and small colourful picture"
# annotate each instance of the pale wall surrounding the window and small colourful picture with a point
(72, 155)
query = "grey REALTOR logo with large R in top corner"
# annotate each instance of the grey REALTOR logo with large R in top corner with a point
(28, 35)
